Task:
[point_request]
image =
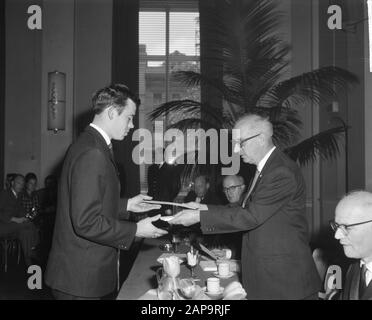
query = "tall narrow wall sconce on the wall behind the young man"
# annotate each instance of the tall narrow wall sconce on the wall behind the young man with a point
(56, 101)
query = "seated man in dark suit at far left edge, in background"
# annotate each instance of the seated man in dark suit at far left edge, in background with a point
(13, 219)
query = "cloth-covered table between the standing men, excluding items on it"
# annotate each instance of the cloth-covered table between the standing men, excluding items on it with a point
(142, 275)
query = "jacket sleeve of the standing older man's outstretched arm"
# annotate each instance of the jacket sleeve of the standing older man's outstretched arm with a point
(274, 192)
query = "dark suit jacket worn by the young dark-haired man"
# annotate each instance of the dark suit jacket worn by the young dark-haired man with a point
(88, 228)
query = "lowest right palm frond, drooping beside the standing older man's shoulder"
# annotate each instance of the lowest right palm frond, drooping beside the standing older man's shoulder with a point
(323, 144)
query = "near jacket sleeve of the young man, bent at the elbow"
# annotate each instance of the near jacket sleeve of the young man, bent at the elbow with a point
(87, 187)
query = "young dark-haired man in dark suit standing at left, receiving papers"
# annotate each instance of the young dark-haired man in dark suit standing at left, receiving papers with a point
(90, 222)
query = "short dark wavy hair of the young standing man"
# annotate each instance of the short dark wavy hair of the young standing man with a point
(115, 95)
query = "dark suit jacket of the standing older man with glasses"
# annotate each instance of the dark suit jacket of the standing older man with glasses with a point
(276, 256)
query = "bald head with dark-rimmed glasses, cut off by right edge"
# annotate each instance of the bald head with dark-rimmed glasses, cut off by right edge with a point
(355, 208)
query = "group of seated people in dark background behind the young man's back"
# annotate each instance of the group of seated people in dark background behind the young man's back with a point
(27, 214)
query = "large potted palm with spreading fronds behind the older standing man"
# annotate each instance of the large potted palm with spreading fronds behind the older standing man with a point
(243, 43)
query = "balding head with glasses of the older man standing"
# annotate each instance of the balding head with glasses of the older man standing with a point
(255, 134)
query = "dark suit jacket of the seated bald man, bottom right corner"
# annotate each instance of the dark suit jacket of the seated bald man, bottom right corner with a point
(351, 286)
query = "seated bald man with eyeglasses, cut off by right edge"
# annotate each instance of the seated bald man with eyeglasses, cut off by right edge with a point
(353, 229)
